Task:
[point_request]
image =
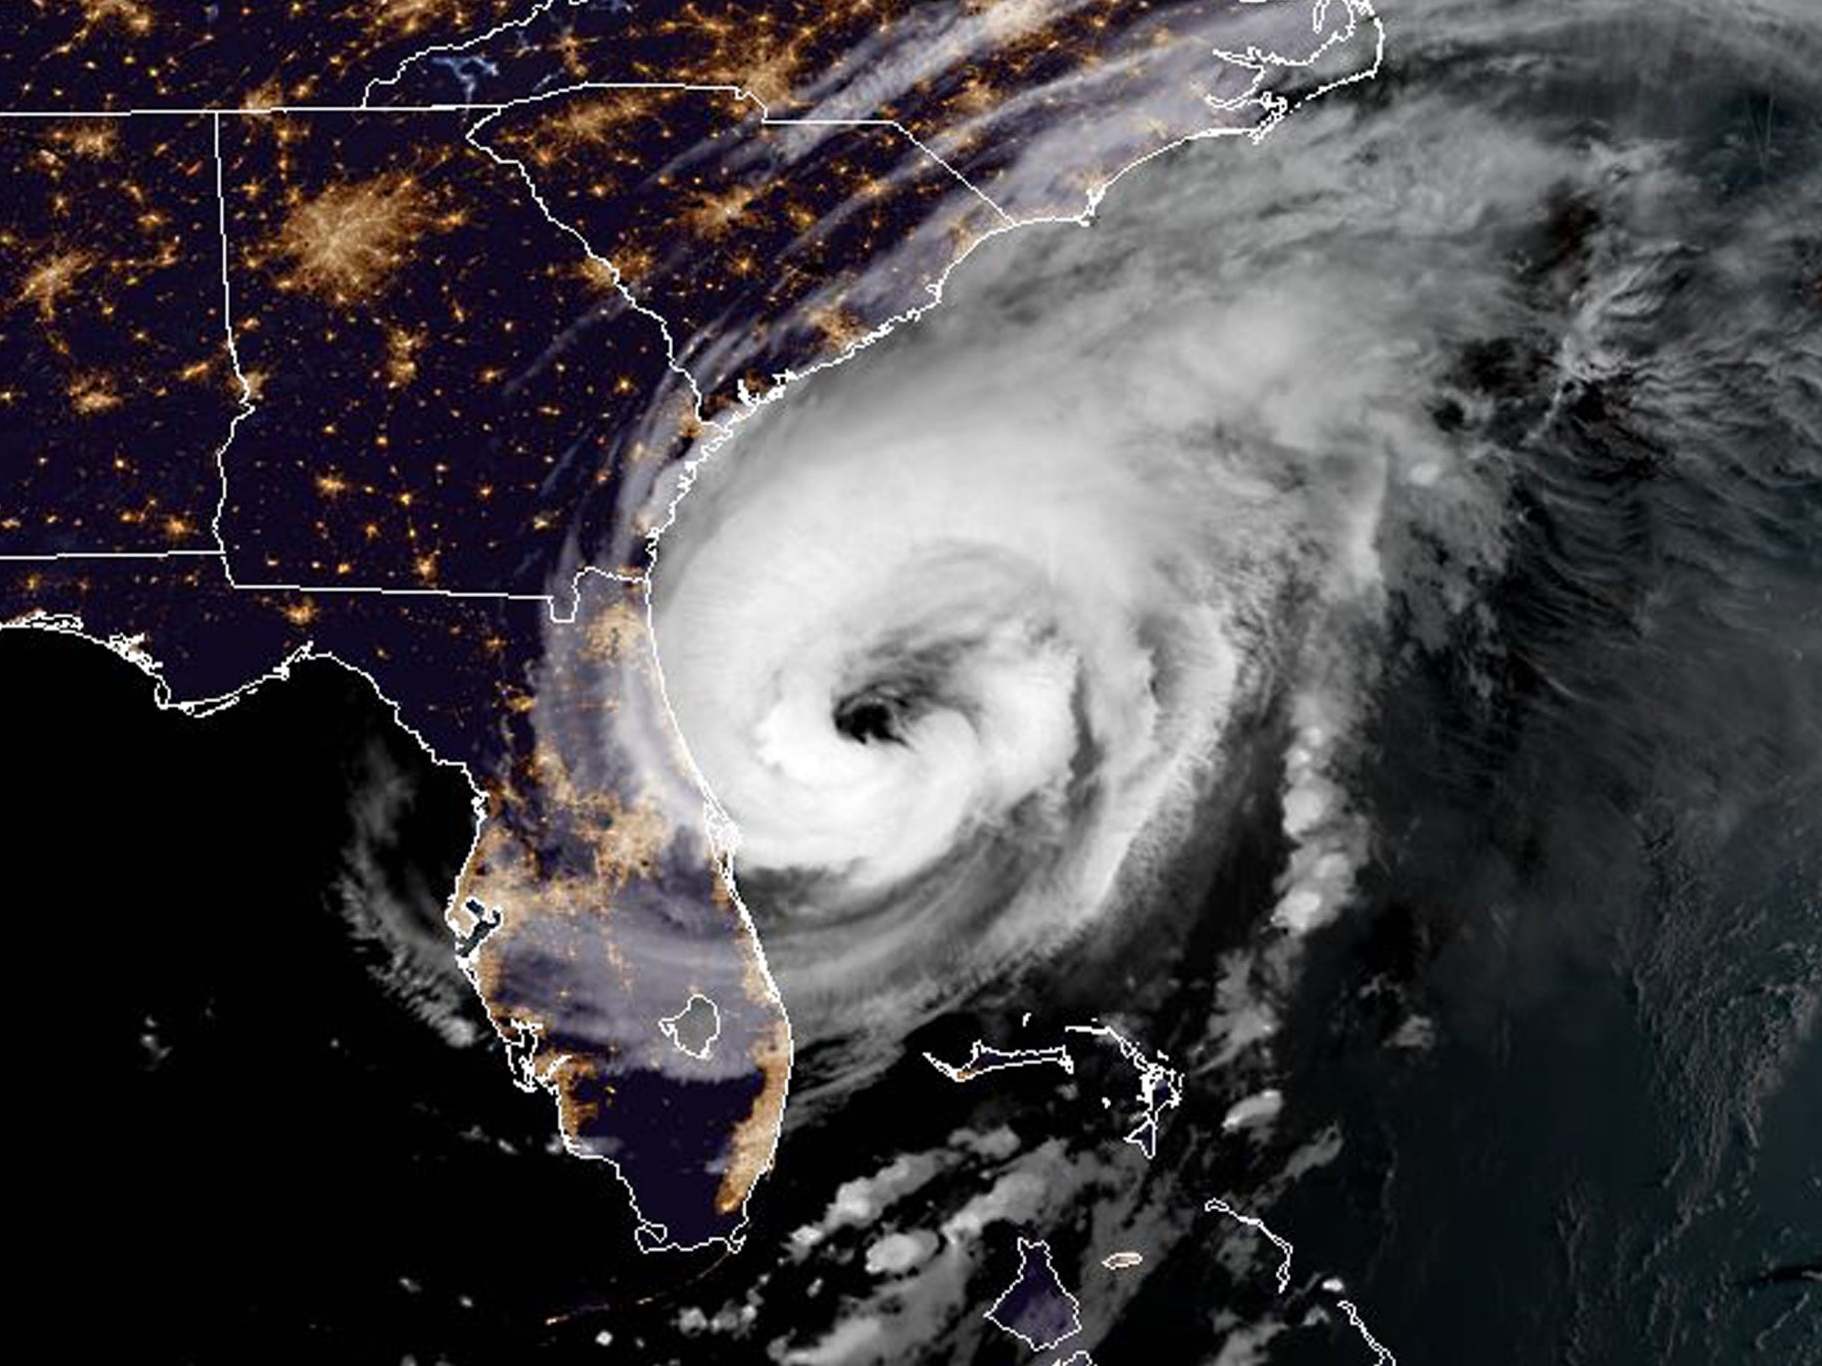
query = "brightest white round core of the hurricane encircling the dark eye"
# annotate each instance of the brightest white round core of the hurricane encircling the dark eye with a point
(926, 653)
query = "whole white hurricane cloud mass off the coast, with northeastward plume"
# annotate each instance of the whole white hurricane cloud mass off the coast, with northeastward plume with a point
(961, 635)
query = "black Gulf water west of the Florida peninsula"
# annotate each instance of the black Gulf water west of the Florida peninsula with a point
(263, 1128)
